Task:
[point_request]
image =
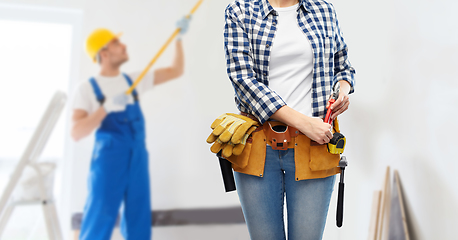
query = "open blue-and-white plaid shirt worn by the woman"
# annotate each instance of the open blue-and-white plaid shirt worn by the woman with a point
(249, 33)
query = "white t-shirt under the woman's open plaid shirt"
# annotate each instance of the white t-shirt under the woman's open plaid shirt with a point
(291, 62)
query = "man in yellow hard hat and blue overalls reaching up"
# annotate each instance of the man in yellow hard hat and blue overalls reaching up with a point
(119, 167)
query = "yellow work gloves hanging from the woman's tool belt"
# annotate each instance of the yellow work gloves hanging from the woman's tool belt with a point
(230, 132)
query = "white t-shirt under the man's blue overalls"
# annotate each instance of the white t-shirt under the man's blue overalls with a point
(85, 98)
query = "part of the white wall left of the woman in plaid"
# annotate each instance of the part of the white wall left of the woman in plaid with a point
(184, 174)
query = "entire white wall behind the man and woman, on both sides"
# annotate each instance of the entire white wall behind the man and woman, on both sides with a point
(400, 115)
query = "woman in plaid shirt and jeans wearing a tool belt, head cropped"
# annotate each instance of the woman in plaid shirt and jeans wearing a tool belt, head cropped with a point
(284, 57)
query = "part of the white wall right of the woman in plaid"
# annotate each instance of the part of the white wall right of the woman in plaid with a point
(403, 111)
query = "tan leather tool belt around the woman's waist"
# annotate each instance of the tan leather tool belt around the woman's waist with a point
(312, 160)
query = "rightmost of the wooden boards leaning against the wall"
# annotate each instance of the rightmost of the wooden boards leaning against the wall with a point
(398, 225)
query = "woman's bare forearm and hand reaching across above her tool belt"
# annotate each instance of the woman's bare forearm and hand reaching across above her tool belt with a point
(312, 127)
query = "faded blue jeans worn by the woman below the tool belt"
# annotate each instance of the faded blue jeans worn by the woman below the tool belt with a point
(262, 199)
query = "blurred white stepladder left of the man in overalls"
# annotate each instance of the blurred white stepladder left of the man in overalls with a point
(31, 182)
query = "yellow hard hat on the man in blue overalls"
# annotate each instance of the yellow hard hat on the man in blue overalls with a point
(98, 39)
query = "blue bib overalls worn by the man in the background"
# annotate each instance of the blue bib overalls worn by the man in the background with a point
(118, 174)
